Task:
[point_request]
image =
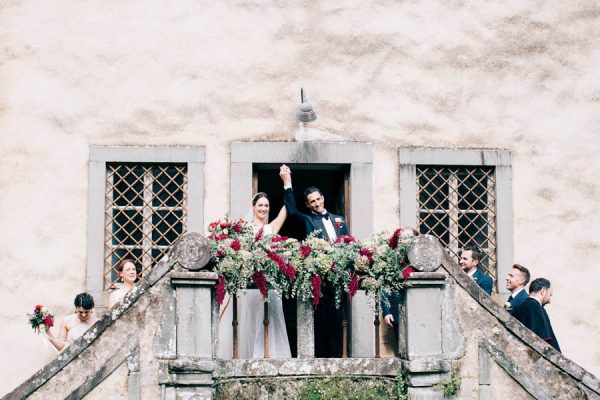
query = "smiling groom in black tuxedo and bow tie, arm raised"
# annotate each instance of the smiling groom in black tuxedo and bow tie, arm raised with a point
(328, 319)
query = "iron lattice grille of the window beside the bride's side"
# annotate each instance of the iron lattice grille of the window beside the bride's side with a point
(146, 212)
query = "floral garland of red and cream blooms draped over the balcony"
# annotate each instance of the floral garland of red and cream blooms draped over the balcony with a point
(243, 259)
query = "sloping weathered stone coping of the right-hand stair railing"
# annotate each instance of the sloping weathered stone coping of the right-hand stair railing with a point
(530, 339)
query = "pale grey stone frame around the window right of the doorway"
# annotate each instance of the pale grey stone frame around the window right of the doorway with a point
(410, 158)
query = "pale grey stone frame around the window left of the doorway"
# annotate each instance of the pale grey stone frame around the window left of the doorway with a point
(99, 157)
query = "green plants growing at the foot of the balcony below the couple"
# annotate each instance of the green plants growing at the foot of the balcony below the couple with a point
(346, 389)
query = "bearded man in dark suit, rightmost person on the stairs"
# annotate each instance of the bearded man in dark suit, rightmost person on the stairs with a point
(532, 313)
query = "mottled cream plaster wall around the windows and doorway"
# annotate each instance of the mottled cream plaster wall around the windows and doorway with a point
(515, 75)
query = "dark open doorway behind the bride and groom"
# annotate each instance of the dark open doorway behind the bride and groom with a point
(331, 179)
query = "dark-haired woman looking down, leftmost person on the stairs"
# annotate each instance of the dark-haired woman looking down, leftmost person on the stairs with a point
(74, 326)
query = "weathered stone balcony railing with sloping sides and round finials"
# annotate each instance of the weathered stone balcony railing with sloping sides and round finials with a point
(449, 331)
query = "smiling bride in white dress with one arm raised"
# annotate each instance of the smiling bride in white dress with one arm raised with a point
(251, 305)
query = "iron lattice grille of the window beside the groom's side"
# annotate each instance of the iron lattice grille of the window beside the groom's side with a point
(458, 206)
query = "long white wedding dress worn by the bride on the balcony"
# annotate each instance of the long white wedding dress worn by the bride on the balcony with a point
(251, 328)
